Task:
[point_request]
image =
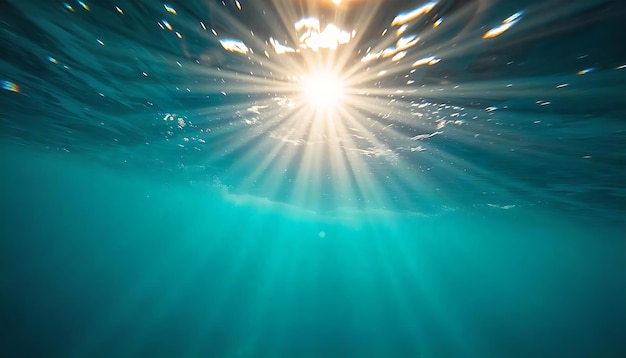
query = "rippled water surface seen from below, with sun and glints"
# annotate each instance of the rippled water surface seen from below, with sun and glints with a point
(410, 106)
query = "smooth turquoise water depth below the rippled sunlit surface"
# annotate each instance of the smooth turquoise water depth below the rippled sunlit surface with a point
(105, 263)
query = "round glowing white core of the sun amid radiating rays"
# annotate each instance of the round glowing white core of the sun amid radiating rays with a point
(322, 90)
